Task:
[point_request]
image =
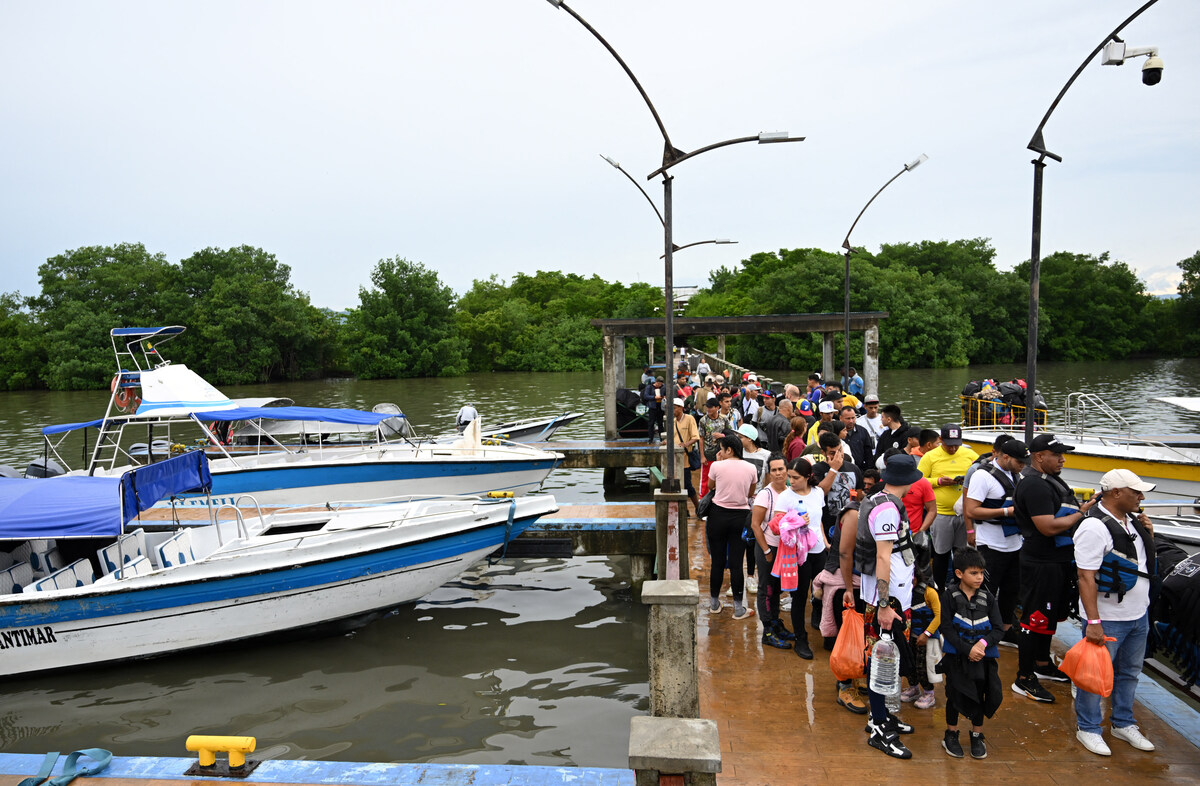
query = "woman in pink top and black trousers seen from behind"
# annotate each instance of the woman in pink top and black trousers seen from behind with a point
(734, 482)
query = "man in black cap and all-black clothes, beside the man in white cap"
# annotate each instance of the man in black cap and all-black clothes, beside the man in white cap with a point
(1047, 514)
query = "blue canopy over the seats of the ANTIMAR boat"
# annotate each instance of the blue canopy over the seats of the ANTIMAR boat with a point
(82, 507)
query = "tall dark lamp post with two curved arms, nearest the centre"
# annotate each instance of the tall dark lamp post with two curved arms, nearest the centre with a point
(671, 157)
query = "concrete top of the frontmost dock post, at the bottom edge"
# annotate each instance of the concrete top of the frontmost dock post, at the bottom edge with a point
(681, 747)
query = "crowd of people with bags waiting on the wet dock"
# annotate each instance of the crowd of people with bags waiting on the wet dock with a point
(826, 494)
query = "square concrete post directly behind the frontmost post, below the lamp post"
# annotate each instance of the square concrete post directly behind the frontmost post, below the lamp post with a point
(671, 641)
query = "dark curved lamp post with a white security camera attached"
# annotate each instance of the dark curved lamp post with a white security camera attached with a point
(1115, 55)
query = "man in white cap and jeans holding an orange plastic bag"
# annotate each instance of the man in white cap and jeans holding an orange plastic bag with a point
(1115, 557)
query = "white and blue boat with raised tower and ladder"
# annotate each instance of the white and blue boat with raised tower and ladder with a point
(170, 409)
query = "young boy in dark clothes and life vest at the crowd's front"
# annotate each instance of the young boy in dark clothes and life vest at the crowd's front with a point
(971, 631)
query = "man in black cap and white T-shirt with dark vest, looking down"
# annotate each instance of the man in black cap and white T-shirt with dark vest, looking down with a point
(988, 512)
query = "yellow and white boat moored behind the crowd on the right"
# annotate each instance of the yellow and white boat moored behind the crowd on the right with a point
(1171, 461)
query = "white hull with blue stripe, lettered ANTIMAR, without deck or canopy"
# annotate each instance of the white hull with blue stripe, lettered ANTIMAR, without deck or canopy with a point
(211, 605)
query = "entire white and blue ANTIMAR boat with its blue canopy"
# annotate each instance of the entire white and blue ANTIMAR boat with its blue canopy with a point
(166, 587)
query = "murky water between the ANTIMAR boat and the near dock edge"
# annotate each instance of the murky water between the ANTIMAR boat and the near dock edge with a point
(538, 662)
